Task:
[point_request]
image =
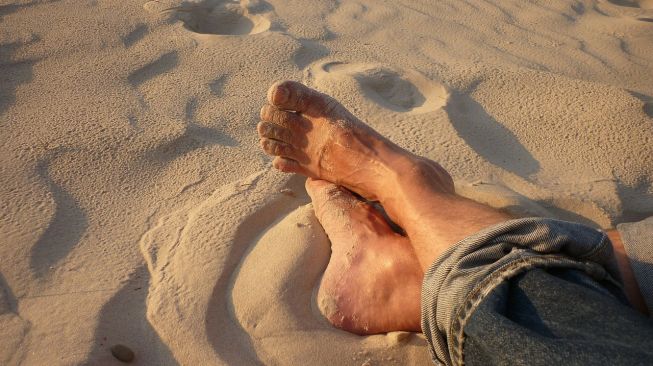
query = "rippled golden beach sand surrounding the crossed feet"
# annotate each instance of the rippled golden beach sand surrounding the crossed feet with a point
(137, 208)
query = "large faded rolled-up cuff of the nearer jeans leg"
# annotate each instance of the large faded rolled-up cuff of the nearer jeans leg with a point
(458, 281)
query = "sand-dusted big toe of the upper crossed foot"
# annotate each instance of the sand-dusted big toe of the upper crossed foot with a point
(294, 96)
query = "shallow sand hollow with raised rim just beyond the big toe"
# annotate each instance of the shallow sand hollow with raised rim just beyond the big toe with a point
(397, 90)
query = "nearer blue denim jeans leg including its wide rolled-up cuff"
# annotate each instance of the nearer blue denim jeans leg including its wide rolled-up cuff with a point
(532, 291)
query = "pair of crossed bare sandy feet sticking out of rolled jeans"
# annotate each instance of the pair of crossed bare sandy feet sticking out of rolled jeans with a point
(373, 280)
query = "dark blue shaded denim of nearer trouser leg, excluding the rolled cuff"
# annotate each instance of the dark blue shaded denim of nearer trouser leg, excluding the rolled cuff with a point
(557, 317)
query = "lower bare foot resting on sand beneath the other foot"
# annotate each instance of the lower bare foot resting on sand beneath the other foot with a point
(373, 280)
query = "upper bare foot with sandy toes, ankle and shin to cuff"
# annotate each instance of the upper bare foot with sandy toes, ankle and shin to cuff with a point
(312, 134)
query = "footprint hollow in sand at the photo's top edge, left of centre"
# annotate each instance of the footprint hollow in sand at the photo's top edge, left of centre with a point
(227, 18)
